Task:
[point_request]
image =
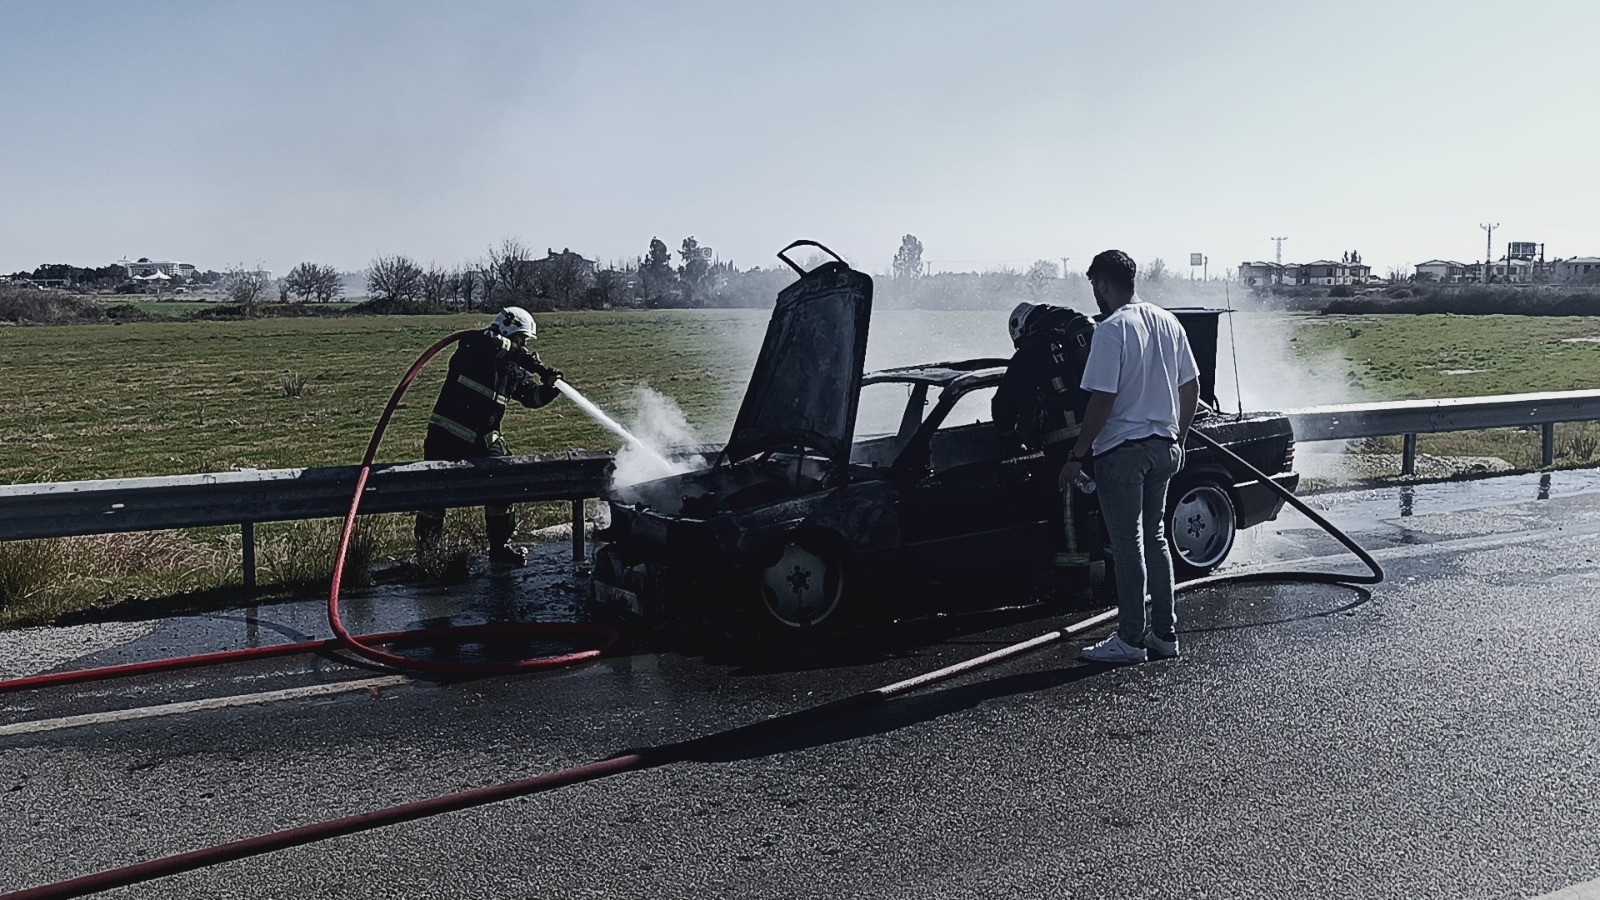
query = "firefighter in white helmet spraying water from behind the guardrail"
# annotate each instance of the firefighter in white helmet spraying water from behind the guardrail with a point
(489, 369)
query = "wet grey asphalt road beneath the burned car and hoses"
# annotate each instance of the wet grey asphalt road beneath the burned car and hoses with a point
(1434, 737)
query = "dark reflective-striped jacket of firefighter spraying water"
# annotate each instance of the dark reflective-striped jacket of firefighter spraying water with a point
(486, 372)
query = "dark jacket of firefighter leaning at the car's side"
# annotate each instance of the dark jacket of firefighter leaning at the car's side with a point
(1041, 401)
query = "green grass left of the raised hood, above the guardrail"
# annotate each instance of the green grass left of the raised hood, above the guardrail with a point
(158, 398)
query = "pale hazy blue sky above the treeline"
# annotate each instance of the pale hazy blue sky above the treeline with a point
(999, 134)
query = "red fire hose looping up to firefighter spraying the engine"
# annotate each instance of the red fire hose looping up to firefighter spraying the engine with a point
(364, 645)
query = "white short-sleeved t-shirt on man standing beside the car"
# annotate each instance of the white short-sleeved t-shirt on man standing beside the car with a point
(1143, 356)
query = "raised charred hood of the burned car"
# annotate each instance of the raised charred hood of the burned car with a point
(807, 380)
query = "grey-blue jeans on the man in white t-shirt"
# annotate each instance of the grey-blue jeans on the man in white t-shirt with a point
(1134, 483)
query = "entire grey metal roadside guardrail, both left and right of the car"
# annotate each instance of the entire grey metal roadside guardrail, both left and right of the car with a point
(281, 496)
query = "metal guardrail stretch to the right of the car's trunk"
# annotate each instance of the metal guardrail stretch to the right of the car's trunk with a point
(1410, 419)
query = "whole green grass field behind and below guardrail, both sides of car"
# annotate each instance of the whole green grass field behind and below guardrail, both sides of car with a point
(180, 398)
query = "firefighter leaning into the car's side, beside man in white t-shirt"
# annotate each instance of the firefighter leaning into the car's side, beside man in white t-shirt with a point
(1039, 406)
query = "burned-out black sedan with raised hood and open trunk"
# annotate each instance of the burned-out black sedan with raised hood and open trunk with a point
(862, 496)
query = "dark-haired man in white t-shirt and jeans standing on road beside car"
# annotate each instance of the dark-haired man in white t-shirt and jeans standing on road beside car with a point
(1143, 390)
